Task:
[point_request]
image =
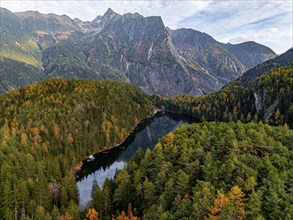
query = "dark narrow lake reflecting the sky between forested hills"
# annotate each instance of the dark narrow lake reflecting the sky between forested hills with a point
(105, 165)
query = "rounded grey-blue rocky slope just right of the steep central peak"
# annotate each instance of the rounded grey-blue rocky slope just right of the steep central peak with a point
(206, 54)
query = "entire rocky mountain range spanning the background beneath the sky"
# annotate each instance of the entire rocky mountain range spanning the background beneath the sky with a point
(131, 48)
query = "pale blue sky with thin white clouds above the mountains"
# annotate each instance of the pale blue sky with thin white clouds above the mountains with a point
(268, 22)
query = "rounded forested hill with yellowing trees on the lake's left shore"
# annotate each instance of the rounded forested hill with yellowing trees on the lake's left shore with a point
(47, 128)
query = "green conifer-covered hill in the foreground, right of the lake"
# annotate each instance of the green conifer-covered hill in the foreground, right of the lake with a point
(212, 170)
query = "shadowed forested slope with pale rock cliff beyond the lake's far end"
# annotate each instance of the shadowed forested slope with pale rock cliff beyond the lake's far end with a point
(269, 100)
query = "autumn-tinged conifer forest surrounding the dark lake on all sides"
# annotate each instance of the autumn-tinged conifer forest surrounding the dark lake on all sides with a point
(212, 170)
